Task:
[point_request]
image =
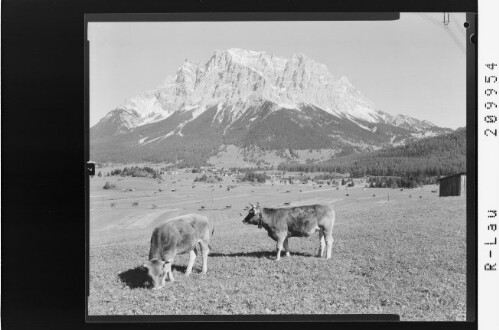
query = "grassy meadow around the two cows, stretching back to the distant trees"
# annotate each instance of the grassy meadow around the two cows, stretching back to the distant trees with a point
(404, 256)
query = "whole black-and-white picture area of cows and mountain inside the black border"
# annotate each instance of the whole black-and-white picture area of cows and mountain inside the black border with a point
(278, 167)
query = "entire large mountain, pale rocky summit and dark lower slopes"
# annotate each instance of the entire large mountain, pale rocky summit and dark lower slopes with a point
(246, 98)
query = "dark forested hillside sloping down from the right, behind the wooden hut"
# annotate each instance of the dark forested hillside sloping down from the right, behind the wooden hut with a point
(430, 157)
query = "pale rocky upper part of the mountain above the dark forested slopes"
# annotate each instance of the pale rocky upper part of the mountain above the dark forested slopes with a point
(235, 79)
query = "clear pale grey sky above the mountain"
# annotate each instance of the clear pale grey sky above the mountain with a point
(411, 66)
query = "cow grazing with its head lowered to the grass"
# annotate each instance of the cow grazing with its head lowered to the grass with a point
(178, 235)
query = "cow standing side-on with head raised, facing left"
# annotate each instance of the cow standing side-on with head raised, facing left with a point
(299, 221)
